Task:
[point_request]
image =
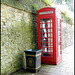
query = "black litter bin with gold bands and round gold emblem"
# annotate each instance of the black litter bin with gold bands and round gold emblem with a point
(33, 60)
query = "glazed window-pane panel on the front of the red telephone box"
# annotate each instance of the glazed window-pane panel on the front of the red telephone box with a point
(46, 31)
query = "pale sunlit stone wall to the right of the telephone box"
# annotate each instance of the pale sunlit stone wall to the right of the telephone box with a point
(67, 35)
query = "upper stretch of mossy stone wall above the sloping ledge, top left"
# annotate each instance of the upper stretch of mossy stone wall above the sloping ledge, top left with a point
(27, 5)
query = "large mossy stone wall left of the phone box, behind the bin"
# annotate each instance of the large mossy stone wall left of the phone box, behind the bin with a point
(17, 34)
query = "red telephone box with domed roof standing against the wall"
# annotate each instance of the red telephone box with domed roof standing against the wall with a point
(49, 35)
